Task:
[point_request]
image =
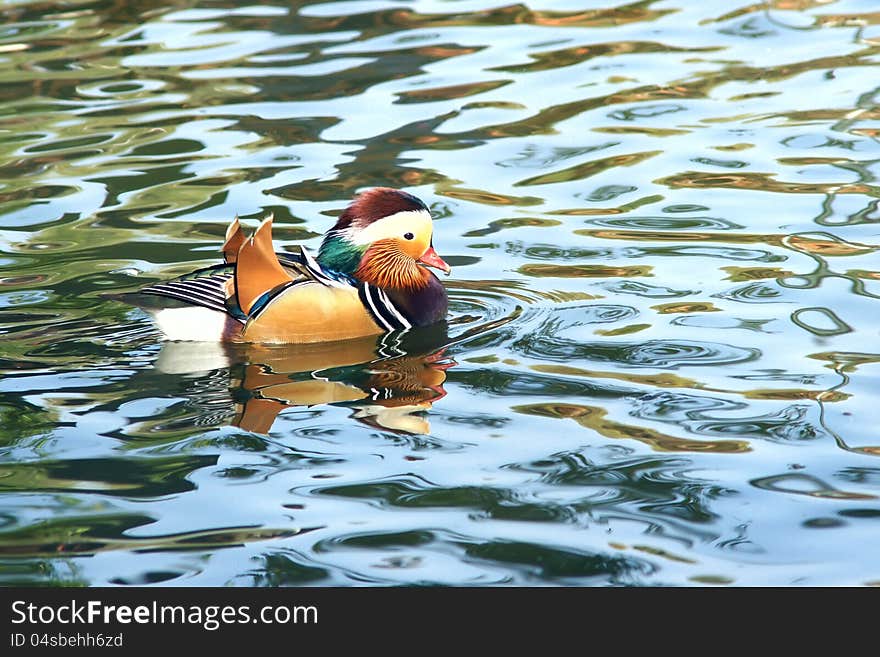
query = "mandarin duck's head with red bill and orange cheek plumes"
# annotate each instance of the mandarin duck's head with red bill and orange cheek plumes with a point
(383, 238)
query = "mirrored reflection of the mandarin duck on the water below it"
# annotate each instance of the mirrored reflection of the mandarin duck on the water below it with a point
(389, 380)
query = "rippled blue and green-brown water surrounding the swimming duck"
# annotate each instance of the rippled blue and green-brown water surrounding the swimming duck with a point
(661, 365)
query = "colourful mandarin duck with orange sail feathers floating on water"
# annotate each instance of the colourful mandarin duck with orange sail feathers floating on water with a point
(368, 277)
